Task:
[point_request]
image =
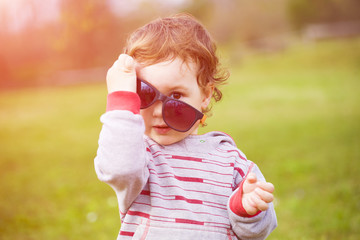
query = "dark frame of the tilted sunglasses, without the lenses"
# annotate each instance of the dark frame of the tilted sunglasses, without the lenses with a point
(164, 99)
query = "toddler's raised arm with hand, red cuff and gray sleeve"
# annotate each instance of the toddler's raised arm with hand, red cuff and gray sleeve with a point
(121, 159)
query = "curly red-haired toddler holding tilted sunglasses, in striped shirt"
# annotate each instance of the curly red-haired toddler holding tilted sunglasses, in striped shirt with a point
(170, 182)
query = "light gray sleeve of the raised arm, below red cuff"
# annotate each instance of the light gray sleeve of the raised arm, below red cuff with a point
(122, 158)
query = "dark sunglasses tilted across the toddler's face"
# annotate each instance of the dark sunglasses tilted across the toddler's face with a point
(177, 114)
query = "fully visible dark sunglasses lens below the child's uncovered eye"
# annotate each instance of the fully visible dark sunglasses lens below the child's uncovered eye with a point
(178, 115)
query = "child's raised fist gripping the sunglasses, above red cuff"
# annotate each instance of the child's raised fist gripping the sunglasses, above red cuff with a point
(122, 75)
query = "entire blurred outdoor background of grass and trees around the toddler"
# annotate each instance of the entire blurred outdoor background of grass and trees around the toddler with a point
(291, 104)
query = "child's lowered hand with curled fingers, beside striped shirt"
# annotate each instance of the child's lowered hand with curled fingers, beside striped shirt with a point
(256, 194)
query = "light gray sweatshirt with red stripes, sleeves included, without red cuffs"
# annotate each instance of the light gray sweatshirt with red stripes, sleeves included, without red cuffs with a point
(179, 191)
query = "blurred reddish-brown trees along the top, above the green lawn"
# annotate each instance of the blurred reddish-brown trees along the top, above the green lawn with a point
(39, 40)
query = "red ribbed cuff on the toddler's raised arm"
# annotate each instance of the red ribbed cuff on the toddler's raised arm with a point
(123, 100)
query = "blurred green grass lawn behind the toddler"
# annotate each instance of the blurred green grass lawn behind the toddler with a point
(295, 113)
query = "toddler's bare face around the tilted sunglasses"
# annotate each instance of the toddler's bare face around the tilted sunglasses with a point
(178, 80)
